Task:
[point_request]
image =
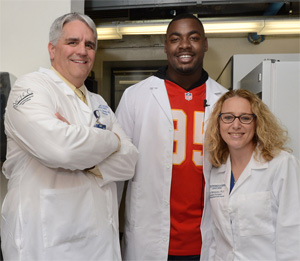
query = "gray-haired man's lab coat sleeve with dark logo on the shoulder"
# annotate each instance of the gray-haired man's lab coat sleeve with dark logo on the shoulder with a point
(31, 122)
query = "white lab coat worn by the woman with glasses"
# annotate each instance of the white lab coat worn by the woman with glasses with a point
(260, 218)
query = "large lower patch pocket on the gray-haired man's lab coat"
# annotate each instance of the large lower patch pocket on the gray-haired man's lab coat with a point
(67, 214)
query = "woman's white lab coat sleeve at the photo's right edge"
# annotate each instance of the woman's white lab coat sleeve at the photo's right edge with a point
(286, 189)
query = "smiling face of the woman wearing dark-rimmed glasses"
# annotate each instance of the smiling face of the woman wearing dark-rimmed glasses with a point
(238, 136)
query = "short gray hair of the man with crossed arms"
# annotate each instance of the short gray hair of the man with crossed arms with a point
(56, 28)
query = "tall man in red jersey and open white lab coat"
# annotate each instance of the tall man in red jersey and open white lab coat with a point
(164, 116)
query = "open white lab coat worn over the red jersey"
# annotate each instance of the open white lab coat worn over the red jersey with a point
(144, 113)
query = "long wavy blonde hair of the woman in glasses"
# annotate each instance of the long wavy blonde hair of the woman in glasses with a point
(269, 138)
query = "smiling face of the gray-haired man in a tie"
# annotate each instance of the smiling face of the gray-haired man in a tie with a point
(74, 54)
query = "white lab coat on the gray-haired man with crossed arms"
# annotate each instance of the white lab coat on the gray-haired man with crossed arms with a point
(53, 210)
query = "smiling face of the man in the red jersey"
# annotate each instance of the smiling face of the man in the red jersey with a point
(185, 46)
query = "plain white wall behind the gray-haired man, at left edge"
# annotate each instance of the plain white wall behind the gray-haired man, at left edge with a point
(24, 29)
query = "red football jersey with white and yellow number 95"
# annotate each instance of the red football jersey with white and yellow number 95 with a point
(187, 187)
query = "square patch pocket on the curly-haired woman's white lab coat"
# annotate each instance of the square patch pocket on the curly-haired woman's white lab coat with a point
(255, 214)
